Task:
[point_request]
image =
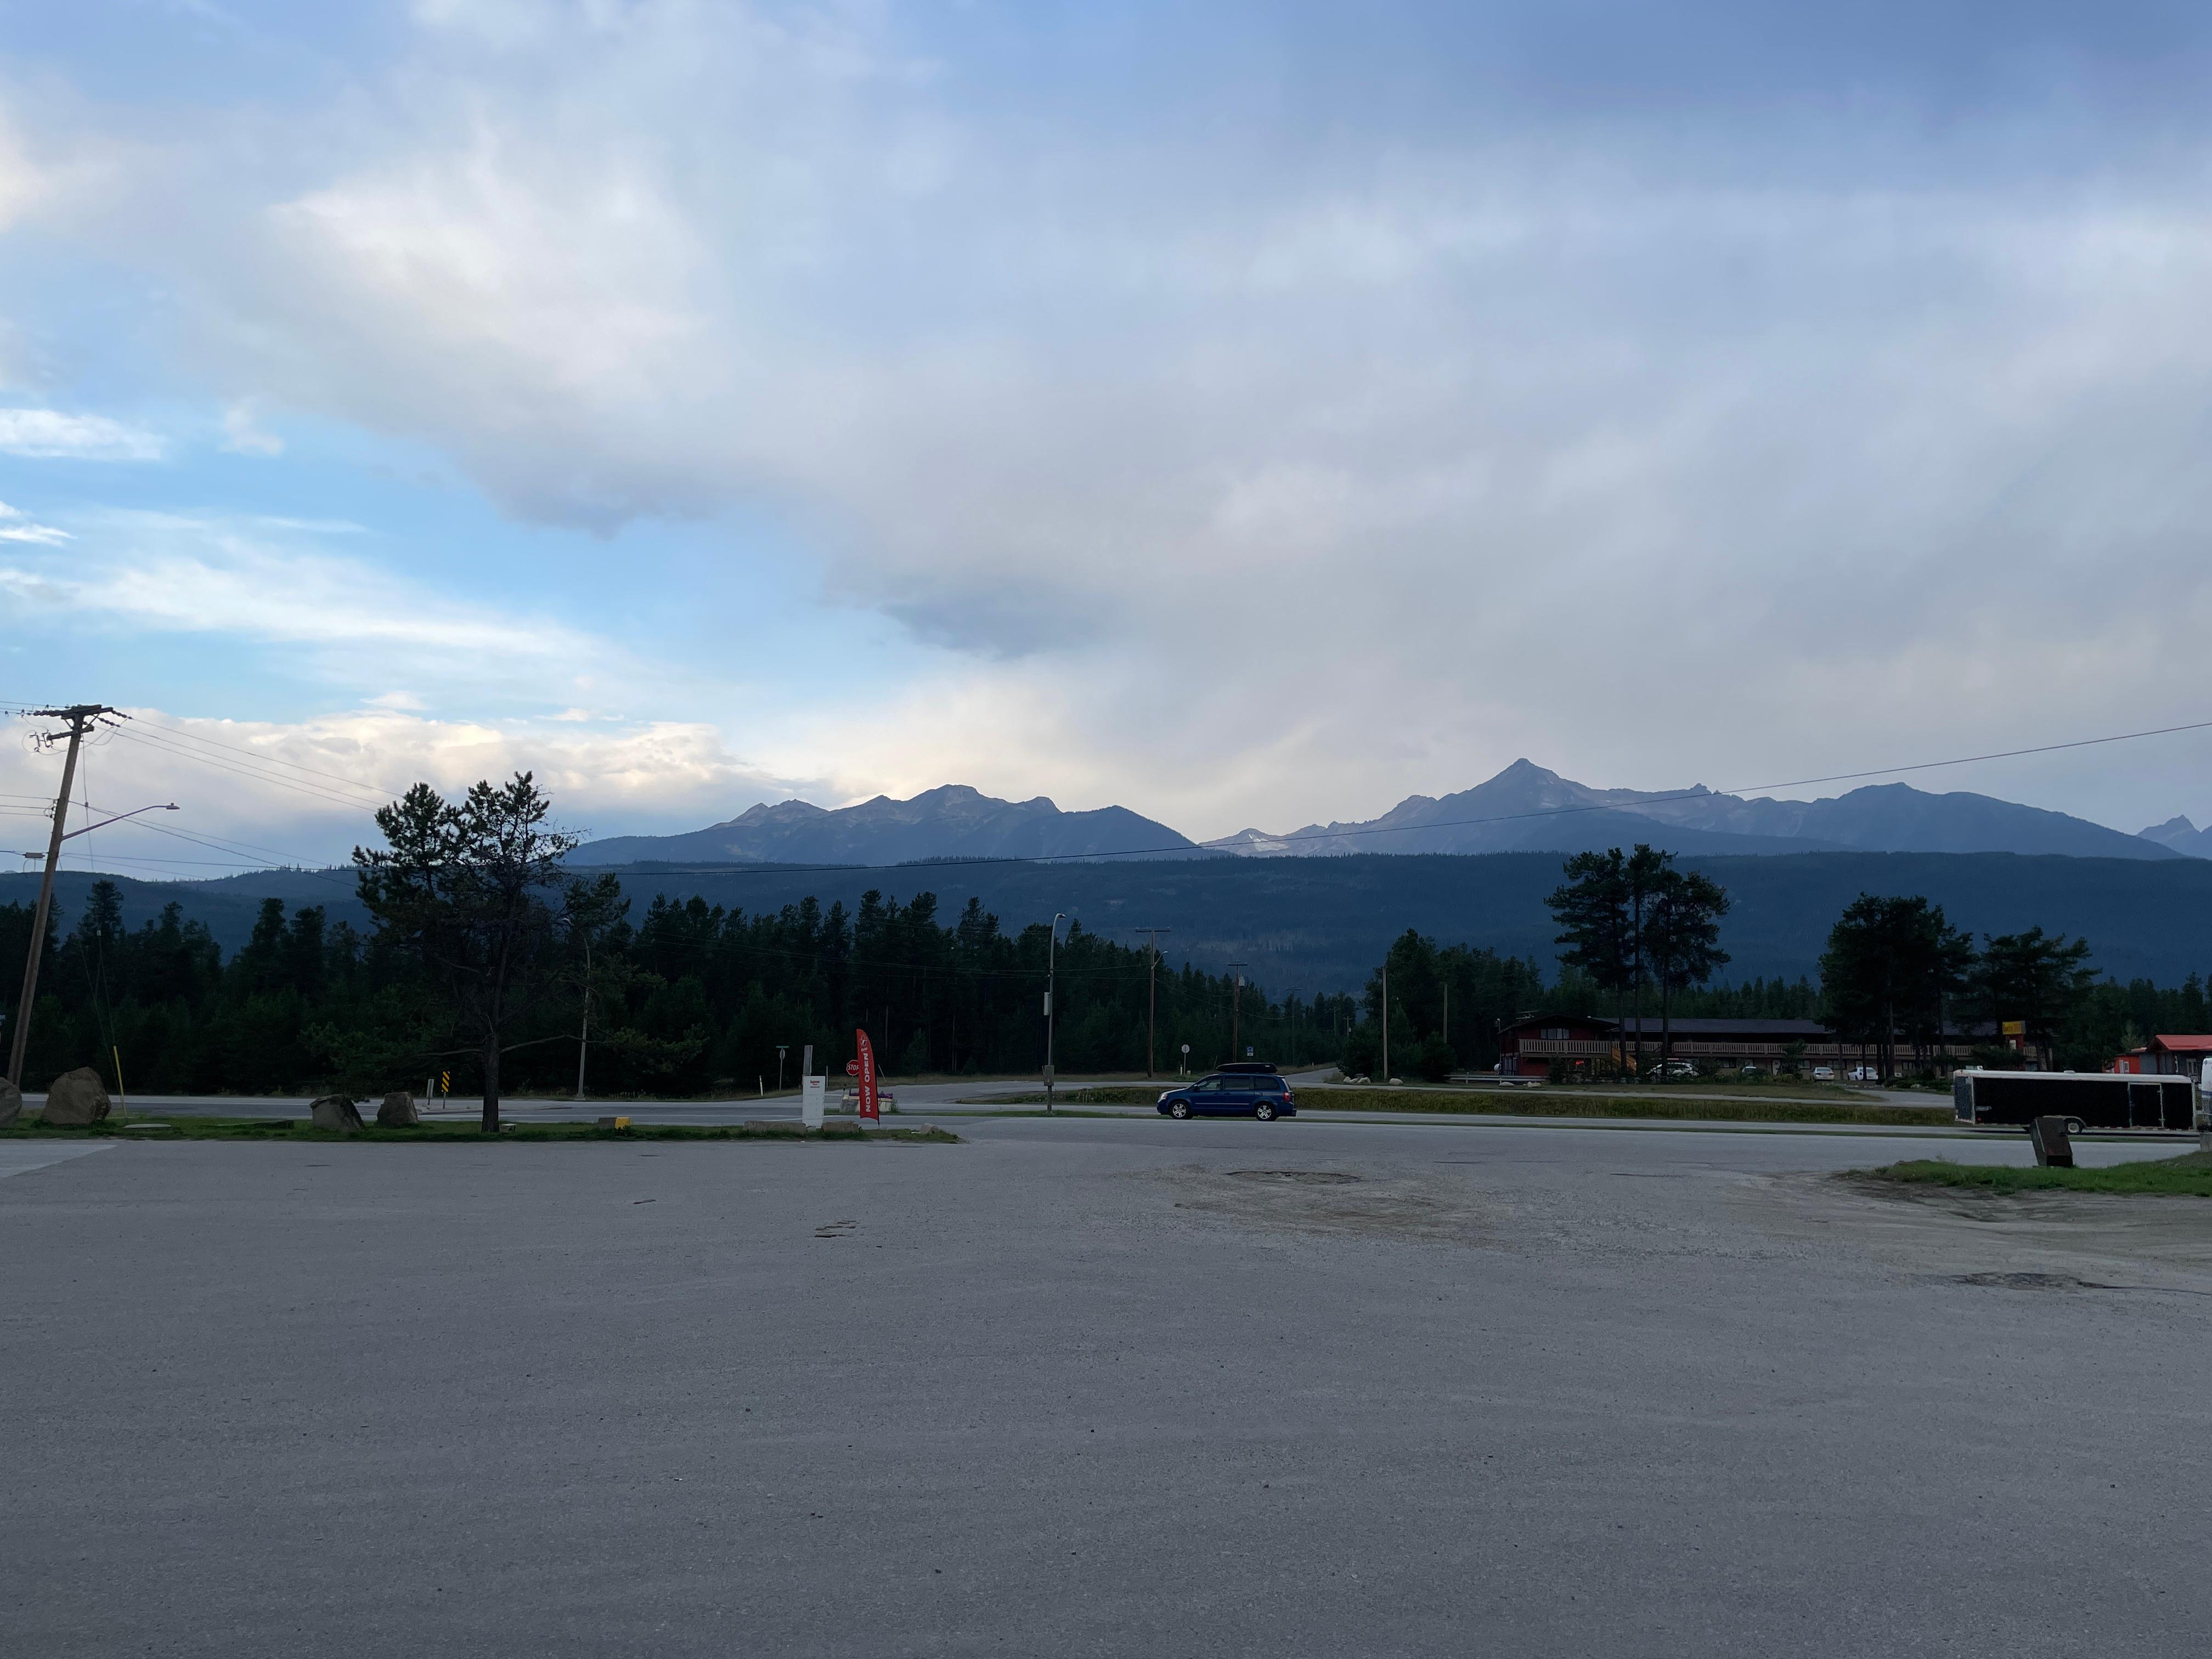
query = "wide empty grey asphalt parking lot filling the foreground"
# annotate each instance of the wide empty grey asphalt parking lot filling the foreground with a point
(1098, 1386)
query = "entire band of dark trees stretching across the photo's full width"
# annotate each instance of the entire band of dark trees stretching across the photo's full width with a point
(494, 968)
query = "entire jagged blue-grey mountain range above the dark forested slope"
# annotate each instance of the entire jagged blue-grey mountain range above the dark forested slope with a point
(1525, 808)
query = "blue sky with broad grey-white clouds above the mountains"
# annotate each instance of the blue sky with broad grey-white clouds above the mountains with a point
(1249, 415)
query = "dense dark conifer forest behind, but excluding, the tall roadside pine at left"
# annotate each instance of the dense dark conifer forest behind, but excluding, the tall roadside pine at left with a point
(687, 1001)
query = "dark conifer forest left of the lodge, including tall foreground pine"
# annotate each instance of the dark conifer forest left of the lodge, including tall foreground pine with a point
(488, 959)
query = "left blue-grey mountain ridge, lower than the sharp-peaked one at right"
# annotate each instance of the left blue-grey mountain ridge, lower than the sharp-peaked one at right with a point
(952, 822)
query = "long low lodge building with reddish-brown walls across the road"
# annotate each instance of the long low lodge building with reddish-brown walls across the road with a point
(1558, 1045)
